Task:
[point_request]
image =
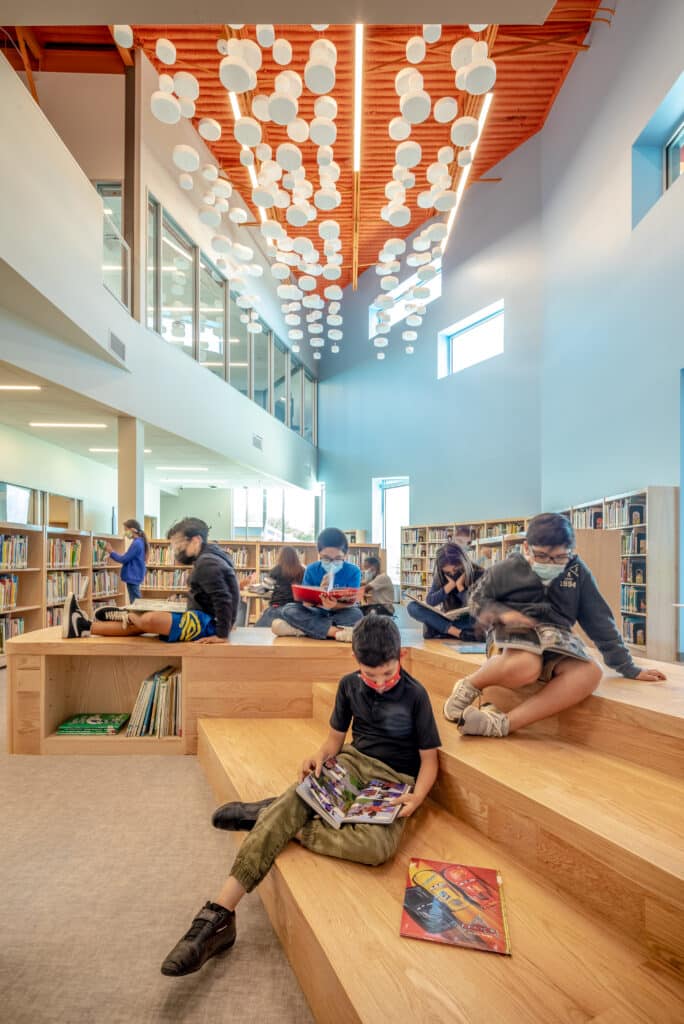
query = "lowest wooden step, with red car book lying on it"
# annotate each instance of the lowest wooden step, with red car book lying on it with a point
(339, 922)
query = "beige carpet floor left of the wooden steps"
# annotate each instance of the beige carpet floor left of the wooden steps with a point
(104, 863)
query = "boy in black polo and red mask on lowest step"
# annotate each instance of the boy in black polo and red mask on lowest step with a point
(395, 738)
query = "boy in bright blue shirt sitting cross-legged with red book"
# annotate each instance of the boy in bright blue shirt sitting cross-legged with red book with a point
(334, 619)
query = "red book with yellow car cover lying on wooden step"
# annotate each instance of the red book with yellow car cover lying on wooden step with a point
(455, 905)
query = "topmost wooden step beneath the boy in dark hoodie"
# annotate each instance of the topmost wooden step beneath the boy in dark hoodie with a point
(638, 722)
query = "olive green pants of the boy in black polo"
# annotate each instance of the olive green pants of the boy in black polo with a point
(282, 821)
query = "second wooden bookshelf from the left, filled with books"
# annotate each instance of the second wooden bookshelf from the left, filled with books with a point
(68, 570)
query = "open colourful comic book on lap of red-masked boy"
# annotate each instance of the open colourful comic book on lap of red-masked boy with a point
(340, 797)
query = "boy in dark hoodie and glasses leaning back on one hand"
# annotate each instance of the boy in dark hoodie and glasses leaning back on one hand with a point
(531, 603)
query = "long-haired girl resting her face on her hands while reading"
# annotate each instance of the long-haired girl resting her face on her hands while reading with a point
(455, 575)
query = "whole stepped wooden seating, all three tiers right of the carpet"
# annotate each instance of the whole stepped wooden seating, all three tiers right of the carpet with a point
(589, 845)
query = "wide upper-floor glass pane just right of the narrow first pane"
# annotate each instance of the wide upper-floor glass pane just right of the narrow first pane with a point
(178, 287)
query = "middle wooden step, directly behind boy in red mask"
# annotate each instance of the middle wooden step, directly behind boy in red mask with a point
(610, 833)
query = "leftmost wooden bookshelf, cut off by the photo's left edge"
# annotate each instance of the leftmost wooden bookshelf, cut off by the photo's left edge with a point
(22, 582)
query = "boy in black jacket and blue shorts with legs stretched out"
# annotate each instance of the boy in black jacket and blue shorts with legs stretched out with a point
(212, 603)
